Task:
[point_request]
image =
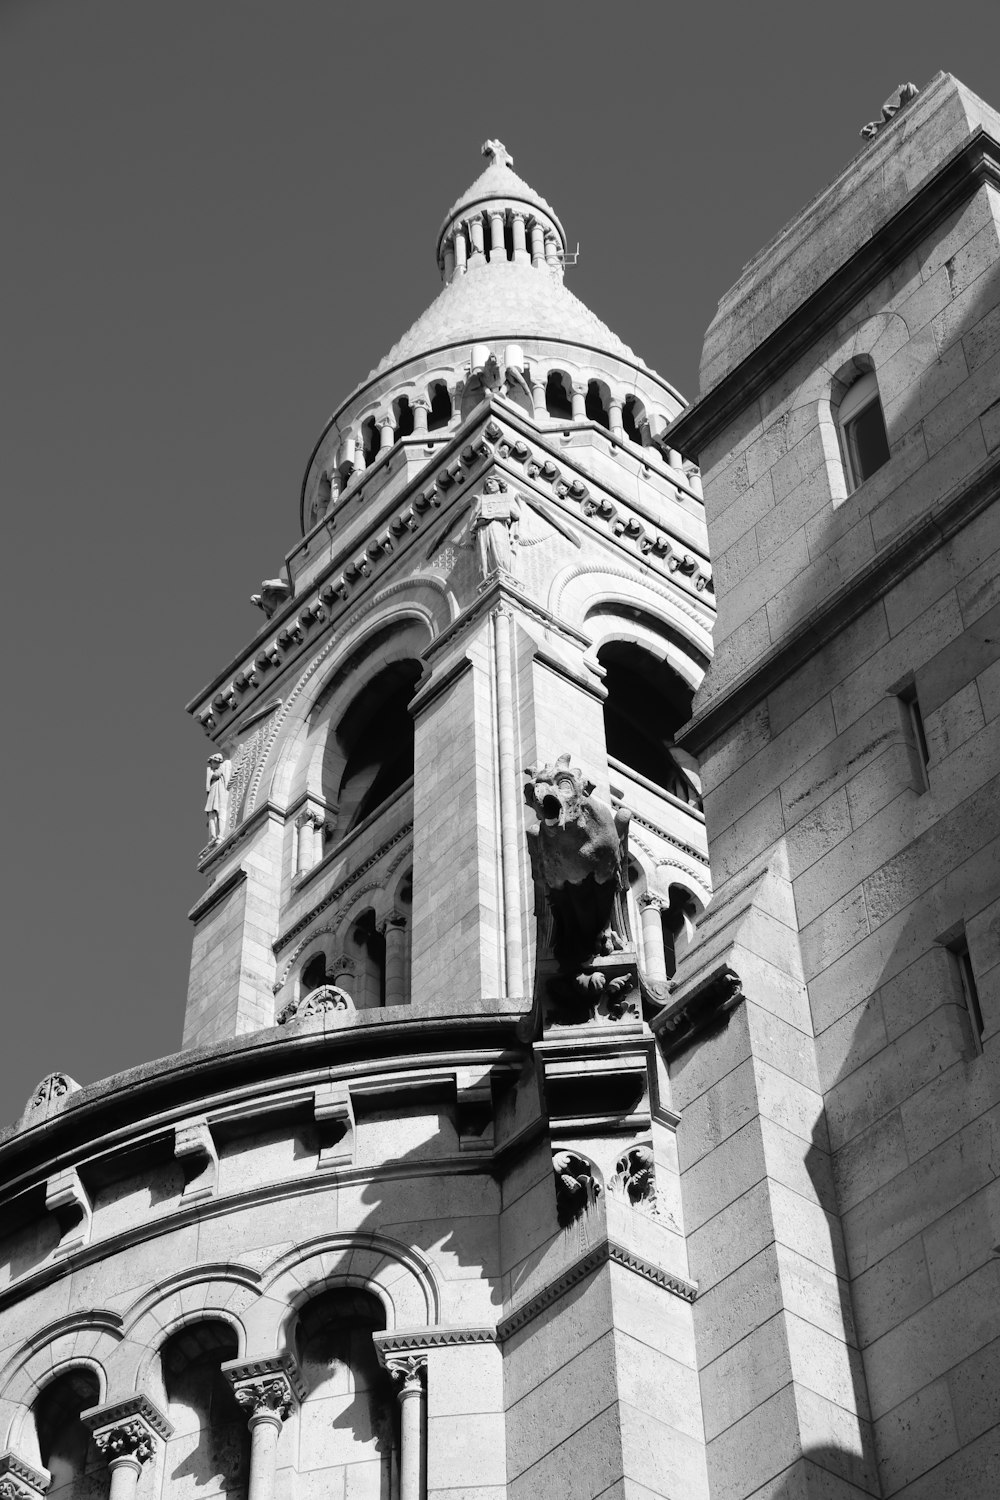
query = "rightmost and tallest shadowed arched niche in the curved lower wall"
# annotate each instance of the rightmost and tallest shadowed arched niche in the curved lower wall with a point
(349, 1421)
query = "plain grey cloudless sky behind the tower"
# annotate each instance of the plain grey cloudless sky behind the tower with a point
(218, 217)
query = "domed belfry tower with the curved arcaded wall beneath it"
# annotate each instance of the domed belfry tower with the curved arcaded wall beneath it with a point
(403, 1220)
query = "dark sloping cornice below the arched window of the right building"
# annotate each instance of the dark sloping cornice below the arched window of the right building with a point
(872, 583)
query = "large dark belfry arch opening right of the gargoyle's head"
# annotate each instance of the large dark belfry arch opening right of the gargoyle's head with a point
(647, 704)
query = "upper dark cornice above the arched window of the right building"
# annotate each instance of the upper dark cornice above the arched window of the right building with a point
(957, 179)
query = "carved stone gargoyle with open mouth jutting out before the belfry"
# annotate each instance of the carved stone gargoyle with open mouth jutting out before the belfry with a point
(579, 857)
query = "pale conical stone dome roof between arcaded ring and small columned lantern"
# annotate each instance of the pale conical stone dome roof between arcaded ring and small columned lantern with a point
(504, 299)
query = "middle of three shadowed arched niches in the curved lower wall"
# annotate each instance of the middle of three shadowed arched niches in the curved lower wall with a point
(209, 1451)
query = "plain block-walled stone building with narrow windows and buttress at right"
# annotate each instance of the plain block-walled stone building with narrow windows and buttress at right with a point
(839, 1141)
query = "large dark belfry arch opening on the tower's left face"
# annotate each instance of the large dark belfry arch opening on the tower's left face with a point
(377, 740)
